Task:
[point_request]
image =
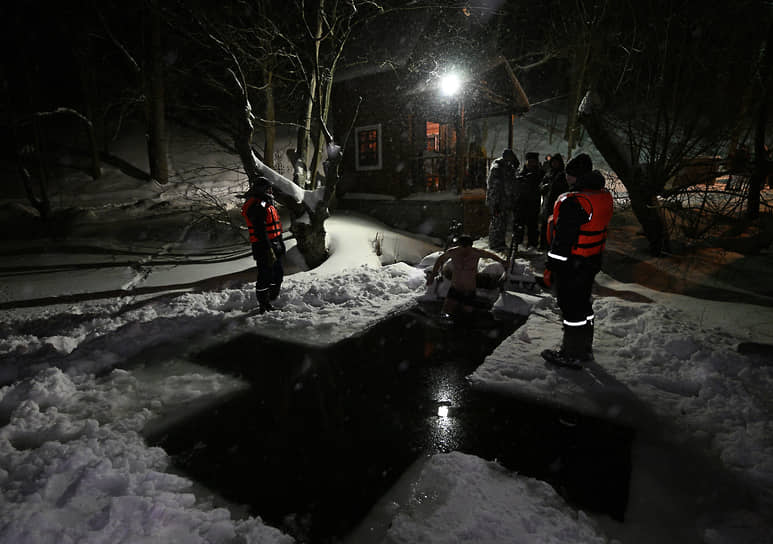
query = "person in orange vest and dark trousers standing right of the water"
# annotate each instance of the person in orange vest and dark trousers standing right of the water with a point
(577, 233)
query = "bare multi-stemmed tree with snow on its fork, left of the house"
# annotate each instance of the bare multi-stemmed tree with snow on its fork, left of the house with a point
(298, 48)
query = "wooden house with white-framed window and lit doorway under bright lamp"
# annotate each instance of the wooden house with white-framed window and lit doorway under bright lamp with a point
(407, 142)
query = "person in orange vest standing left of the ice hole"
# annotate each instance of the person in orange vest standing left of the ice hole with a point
(266, 238)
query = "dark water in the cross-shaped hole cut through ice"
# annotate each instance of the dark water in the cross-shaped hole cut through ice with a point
(323, 433)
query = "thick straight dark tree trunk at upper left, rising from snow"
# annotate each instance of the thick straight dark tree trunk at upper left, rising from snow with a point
(153, 77)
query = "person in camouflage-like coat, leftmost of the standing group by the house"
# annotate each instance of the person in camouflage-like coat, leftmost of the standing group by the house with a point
(500, 187)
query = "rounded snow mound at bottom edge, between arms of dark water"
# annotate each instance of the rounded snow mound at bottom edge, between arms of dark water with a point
(462, 498)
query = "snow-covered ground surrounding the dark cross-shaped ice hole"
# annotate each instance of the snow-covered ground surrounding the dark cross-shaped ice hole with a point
(74, 466)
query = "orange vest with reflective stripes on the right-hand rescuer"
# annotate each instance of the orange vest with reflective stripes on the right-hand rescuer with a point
(598, 204)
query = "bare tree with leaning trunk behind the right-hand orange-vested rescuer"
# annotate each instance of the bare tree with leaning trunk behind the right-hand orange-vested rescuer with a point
(667, 84)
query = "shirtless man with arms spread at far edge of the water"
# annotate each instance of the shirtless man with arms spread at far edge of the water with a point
(464, 259)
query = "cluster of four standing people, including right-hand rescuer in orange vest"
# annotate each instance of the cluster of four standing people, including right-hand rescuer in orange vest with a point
(564, 210)
